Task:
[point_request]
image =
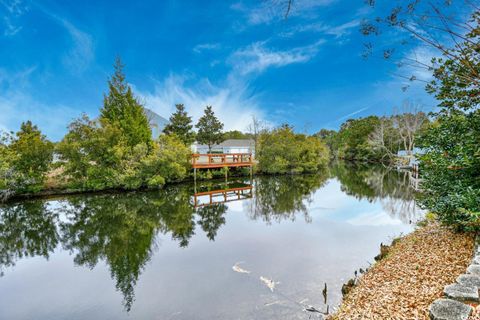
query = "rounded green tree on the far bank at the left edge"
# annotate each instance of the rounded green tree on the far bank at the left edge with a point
(28, 156)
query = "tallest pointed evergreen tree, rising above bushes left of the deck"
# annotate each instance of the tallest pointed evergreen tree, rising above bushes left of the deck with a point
(122, 109)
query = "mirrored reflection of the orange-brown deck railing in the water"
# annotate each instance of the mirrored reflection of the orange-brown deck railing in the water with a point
(207, 198)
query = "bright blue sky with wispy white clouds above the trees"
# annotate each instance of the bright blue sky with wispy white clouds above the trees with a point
(240, 56)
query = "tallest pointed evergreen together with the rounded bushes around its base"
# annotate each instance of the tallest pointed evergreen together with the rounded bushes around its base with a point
(116, 151)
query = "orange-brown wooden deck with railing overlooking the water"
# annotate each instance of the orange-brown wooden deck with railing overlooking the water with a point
(213, 160)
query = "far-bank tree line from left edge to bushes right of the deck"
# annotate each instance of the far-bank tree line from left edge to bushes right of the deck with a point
(117, 150)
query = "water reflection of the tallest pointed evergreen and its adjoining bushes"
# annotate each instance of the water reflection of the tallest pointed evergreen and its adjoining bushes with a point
(118, 229)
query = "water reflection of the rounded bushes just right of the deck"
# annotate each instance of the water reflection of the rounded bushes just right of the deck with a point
(278, 198)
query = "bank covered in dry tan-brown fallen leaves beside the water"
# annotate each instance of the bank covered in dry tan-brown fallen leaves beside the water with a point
(402, 285)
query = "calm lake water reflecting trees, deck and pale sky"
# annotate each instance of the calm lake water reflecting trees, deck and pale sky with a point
(266, 253)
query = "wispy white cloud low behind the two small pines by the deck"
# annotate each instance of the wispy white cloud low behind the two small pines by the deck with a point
(231, 103)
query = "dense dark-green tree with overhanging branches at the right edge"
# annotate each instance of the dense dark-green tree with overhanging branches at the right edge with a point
(450, 165)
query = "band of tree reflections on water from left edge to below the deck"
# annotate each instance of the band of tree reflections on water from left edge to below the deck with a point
(119, 229)
